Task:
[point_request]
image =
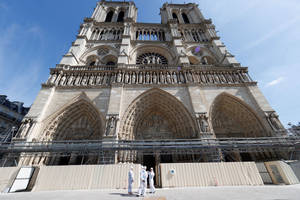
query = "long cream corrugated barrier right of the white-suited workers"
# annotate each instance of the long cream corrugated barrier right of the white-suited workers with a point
(209, 174)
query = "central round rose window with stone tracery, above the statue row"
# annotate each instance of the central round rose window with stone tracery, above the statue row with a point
(151, 58)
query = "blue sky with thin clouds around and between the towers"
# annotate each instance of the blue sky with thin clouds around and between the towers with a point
(263, 35)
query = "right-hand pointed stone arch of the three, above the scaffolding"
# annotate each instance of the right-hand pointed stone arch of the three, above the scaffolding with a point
(231, 117)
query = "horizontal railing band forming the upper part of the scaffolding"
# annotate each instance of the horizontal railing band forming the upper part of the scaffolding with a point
(225, 144)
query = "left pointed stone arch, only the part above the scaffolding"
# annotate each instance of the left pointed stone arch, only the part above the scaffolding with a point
(78, 120)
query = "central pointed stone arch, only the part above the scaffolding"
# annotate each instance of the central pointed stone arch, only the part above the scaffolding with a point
(159, 110)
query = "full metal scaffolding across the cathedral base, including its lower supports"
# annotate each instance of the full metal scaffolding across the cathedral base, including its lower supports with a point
(213, 147)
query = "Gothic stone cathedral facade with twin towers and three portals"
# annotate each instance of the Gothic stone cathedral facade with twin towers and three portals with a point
(123, 80)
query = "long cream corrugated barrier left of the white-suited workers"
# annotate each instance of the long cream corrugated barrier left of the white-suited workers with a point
(85, 177)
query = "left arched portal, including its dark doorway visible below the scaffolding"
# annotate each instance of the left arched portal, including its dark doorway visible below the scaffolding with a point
(78, 120)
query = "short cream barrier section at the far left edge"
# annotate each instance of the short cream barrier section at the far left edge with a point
(7, 176)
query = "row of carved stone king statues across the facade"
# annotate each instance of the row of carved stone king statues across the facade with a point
(147, 77)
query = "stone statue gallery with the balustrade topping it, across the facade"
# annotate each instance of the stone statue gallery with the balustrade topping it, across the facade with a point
(134, 74)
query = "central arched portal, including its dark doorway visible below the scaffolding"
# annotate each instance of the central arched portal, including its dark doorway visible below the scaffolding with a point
(155, 115)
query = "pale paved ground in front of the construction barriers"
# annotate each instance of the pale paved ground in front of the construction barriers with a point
(291, 192)
